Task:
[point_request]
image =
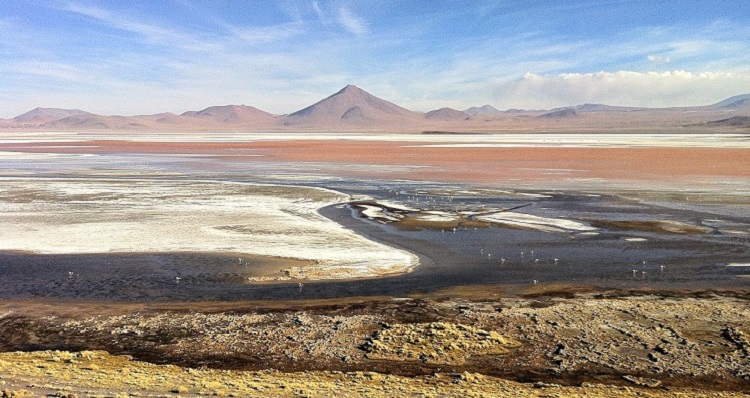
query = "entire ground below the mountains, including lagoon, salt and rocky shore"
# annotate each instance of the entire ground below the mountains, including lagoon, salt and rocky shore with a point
(490, 263)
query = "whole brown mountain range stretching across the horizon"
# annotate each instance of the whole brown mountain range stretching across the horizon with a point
(353, 109)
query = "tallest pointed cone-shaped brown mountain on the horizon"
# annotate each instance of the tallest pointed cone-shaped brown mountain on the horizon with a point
(351, 106)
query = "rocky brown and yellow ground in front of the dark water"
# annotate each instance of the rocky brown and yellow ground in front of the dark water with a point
(590, 345)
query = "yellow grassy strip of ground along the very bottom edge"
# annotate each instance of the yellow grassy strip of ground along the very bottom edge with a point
(96, 373)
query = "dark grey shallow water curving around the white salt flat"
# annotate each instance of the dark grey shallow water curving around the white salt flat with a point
(608, 259)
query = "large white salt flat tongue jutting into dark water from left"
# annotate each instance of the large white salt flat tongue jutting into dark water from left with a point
(53, 216)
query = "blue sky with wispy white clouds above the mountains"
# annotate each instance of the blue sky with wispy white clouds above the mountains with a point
(144, 57)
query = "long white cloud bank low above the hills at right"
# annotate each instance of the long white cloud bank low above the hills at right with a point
(627, 88)
